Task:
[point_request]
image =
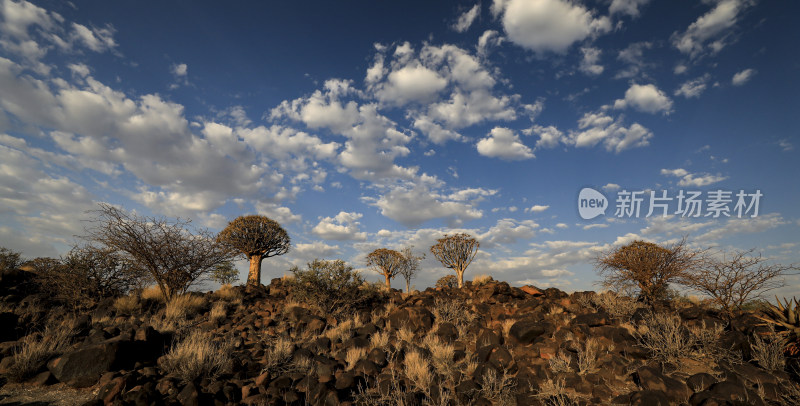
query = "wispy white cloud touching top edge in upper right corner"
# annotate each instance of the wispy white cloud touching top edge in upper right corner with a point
(711, 30)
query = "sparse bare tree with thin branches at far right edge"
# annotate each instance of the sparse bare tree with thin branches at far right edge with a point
(734, 278)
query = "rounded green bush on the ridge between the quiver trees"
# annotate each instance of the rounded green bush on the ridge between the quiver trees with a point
(332, 286)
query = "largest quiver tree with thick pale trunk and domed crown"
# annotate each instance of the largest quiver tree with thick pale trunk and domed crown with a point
(255, 237)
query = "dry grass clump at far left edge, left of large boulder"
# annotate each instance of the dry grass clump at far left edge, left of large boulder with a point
(37, 348)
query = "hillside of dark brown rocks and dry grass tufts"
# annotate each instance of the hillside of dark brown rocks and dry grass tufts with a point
(488, 343)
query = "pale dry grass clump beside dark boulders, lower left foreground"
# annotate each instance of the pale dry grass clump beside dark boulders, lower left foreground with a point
(196, 356)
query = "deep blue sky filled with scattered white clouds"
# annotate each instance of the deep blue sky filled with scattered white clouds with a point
(362, 125)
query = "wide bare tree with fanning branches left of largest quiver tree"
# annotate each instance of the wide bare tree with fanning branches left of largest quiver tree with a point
(175, 254)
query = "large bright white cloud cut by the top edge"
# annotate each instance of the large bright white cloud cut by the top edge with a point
(549, 25)
